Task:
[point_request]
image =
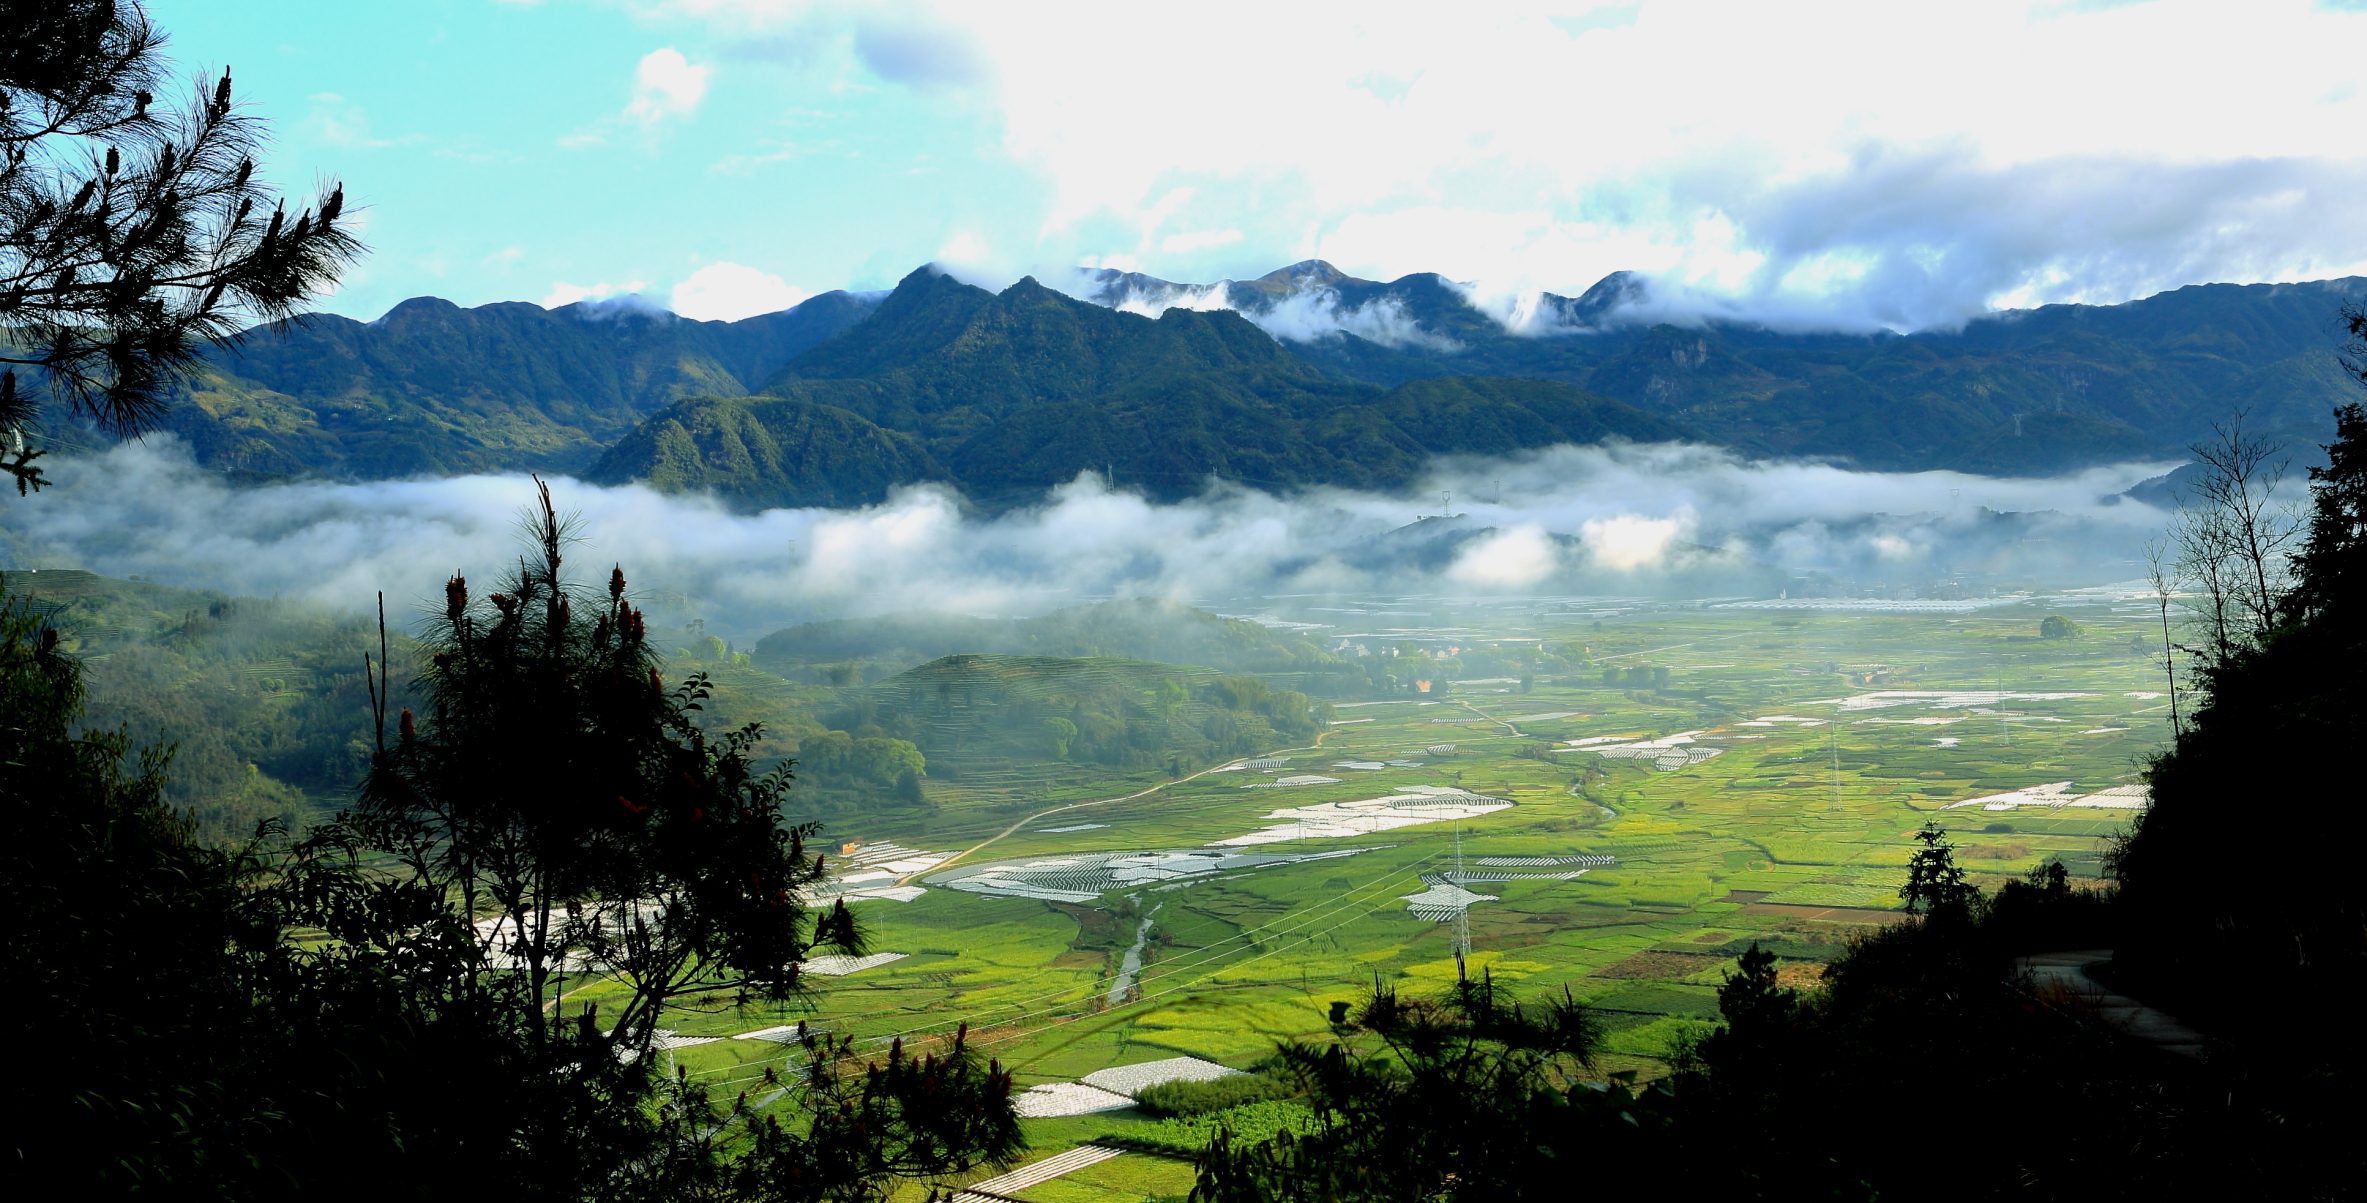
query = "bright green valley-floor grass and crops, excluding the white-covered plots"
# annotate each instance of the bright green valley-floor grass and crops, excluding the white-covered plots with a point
(1251, 960)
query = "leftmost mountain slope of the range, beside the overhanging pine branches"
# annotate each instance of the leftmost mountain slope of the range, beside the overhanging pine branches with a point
(444, 390)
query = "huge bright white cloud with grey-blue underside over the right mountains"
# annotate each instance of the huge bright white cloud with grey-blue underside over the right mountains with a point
(1859, 165)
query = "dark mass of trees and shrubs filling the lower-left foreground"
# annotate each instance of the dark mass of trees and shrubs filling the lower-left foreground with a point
(394, 986)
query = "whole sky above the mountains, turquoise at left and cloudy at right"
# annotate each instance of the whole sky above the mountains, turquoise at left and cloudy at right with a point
(1817, 167)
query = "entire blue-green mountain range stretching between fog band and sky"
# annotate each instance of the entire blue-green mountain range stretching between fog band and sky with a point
(1301, 378)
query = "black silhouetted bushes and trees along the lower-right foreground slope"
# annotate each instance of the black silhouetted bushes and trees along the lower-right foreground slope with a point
(1930, 1062)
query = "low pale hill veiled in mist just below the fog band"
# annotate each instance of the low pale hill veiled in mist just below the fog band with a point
(1130, 631)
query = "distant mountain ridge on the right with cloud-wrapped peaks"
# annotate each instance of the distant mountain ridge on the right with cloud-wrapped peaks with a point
(2146, 378)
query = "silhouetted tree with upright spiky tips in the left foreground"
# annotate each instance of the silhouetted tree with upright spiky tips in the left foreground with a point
(560, 818)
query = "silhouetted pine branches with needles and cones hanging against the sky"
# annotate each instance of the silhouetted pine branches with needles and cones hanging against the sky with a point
(129, 233)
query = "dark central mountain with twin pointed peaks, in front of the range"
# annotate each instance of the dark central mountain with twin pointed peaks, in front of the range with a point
(1024, 390)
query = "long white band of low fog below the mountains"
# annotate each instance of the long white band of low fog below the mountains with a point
(1639, 520)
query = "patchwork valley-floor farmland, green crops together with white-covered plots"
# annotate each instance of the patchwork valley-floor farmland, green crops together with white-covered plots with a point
(1625, 842)
